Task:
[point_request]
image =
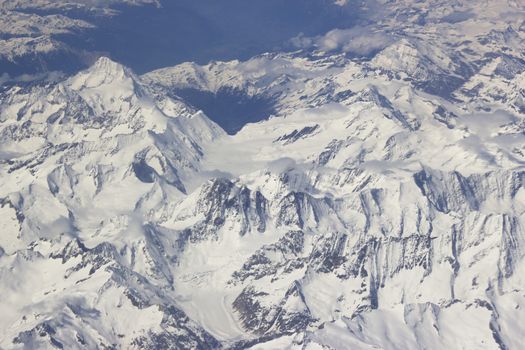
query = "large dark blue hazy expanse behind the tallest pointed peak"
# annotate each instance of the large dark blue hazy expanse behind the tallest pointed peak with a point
(146, 38)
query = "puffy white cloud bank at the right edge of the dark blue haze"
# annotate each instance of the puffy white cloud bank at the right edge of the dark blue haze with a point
(358, 41)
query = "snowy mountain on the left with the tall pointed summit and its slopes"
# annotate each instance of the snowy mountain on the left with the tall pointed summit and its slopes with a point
(90, 159)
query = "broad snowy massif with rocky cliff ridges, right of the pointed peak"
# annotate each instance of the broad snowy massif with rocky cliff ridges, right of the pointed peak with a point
(385, 198)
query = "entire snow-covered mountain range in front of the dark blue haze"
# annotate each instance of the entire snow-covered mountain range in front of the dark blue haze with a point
(376, 199)
